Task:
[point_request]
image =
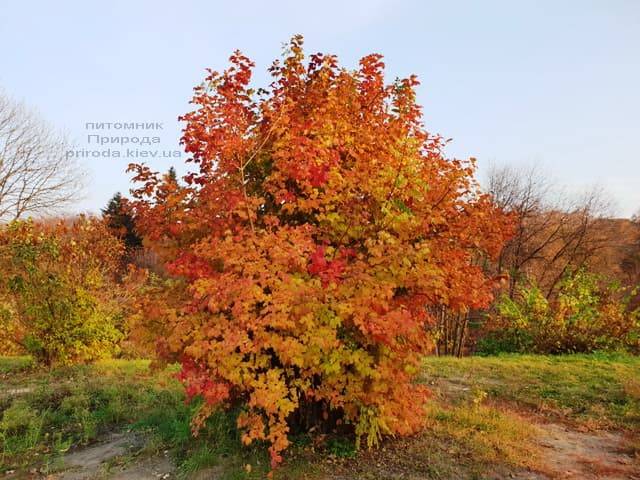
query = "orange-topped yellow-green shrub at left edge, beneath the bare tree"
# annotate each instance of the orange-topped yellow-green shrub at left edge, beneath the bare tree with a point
(61, 282)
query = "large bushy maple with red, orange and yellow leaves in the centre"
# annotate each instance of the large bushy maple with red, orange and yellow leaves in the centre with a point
(318, 221)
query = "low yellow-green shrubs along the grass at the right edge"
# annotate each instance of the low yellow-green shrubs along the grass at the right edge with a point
(588, 314)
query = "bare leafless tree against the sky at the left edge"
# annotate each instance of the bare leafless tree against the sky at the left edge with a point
(37, 176)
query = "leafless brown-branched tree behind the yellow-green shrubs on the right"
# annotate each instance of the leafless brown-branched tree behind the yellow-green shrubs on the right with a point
(555, 234)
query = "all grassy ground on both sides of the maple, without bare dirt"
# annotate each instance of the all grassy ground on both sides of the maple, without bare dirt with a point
(479, 422)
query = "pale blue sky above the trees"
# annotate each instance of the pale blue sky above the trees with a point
(512, 82)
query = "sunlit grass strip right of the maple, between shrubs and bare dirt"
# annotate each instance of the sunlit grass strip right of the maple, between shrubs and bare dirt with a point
(600, 390)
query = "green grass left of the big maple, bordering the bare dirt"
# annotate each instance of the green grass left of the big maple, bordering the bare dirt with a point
(44, 414)
